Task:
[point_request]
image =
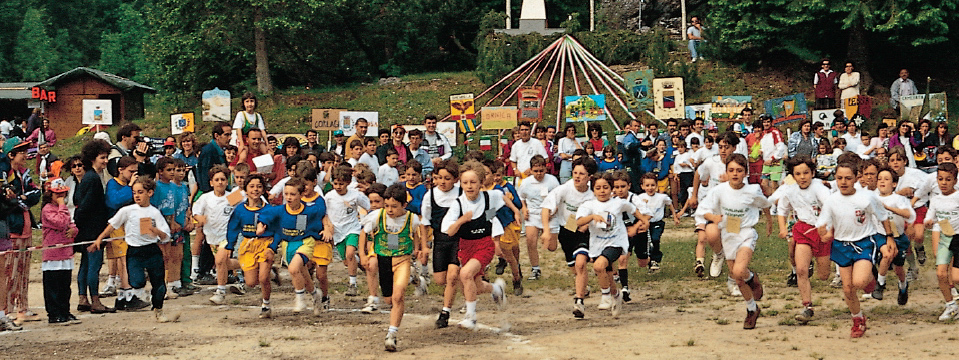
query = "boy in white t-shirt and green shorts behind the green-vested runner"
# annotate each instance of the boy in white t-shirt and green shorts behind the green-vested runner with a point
(345, 207)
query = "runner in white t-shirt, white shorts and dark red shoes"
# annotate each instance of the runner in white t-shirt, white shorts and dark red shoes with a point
(735, 207)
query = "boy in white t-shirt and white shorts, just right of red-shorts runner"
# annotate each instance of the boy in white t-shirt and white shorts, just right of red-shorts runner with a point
(532, 192)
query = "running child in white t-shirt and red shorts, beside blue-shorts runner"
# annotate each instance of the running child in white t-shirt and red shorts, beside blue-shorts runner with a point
(806, 198)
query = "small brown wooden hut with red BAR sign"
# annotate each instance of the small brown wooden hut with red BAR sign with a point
(64, 107)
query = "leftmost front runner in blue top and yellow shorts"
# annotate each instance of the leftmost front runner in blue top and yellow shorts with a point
(254, 252)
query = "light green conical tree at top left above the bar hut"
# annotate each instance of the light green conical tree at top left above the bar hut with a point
(34, 56)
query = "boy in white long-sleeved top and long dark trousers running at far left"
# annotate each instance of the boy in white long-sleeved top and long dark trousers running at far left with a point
(144, 227)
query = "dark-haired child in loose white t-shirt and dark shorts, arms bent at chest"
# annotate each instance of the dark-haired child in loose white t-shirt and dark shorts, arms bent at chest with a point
(608, 236)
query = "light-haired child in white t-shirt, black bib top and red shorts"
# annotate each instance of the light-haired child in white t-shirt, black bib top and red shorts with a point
(473, 219)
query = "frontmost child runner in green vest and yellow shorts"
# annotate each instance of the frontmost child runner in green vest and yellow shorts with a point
(388, 241)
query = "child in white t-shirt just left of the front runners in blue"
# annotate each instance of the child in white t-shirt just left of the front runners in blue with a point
(212, 211)
